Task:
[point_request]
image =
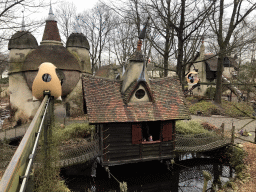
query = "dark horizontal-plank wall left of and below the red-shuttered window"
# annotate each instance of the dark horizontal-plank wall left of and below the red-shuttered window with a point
(118, 148)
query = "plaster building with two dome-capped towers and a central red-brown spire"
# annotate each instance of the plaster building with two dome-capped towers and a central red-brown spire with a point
(26, 56)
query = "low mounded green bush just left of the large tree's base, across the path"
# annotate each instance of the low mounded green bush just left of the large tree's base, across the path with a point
(207, 108)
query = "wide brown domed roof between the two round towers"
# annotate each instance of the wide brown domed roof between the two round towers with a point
(55, 54)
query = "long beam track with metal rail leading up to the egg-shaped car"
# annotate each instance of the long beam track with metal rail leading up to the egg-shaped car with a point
(17, 173)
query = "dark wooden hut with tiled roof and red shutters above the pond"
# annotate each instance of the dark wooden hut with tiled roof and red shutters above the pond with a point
(127, 111)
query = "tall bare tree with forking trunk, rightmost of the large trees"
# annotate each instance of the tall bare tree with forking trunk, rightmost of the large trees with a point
(230, 15)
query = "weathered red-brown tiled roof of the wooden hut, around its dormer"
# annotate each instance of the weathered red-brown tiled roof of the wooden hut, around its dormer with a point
(105, 103)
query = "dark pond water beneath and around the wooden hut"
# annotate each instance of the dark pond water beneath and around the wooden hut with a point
(152, 176)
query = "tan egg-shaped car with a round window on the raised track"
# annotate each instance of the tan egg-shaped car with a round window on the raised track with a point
(46, 80)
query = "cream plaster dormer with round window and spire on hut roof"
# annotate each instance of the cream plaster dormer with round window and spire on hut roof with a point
(135, 81)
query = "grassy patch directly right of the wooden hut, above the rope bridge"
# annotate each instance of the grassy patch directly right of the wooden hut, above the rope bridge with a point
(190, 127)
